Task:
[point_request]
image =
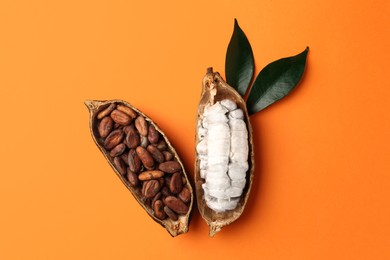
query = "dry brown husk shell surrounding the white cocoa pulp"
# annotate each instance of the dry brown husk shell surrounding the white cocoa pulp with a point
(216, 89)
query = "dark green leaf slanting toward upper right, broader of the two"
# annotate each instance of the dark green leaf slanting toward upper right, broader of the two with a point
(275, 81)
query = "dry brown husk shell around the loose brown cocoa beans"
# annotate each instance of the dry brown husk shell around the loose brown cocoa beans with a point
(174, 228)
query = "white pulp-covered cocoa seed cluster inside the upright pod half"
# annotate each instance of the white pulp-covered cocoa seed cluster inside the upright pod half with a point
(223, 153)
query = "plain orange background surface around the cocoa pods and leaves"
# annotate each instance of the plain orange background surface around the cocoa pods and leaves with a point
(322, 179)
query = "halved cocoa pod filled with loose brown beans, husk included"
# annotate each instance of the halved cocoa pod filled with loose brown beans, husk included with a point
(127, 163)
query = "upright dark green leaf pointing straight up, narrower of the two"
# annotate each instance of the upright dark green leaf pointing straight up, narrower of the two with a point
(239, 64)
